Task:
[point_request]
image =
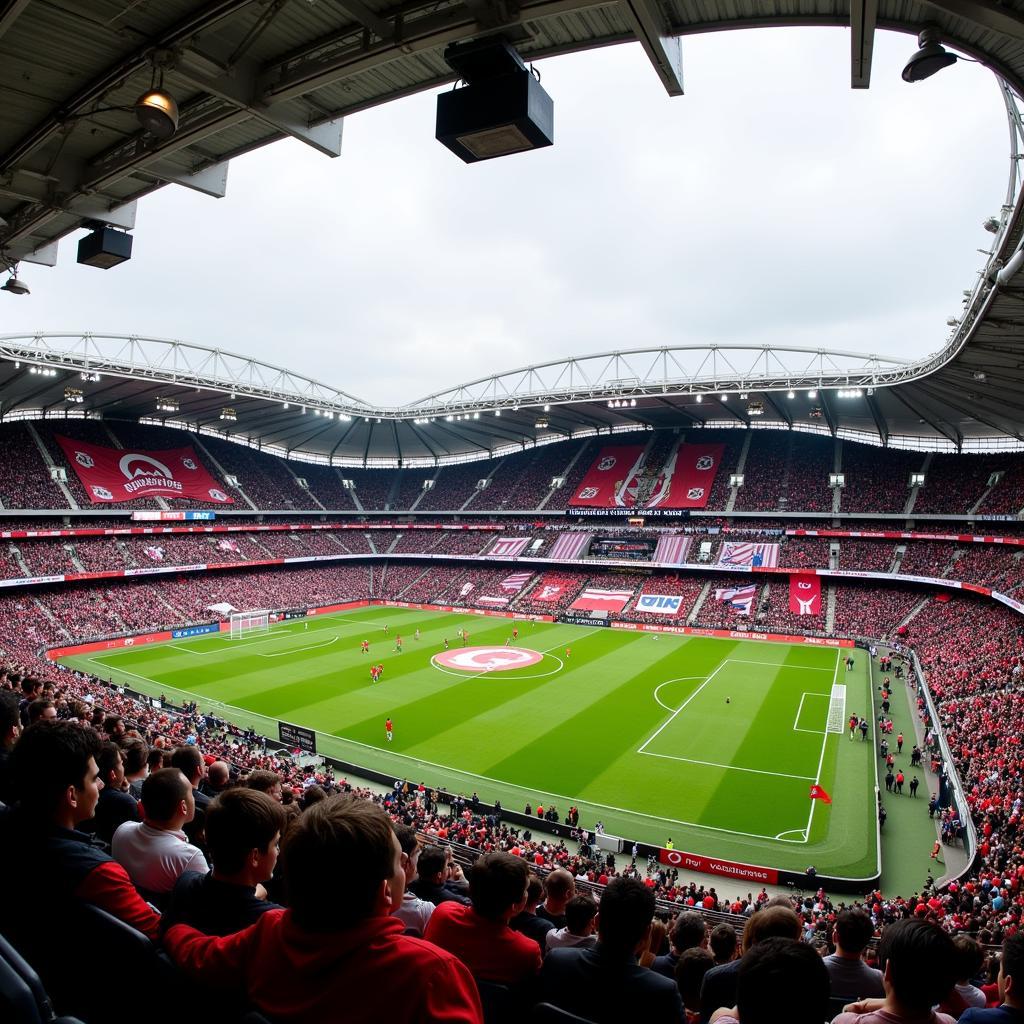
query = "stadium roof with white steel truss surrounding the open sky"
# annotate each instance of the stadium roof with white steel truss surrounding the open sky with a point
(246, 74)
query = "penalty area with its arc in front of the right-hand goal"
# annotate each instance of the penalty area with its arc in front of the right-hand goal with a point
(756, 717)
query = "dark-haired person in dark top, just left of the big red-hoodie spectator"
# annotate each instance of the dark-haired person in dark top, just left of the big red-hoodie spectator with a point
(243, 831)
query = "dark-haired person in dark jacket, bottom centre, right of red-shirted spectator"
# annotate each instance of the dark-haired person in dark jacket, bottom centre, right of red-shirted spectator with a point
(606, 985)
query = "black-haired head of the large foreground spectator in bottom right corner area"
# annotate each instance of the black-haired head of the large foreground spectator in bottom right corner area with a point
(920, 964)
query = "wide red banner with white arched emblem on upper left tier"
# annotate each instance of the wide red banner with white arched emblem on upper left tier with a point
(121, 476)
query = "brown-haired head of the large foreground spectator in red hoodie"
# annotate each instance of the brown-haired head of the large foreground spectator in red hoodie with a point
(343, 865)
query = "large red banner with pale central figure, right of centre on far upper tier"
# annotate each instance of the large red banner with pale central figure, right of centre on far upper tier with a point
(622, 478)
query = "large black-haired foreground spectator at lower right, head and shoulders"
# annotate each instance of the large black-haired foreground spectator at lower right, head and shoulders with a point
(920, 966)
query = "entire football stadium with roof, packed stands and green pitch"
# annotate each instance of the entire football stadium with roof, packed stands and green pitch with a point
(728, 632)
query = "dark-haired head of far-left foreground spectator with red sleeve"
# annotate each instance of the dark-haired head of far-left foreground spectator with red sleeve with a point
(55, 773)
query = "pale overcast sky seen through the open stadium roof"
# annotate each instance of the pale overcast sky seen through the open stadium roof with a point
(771, 205)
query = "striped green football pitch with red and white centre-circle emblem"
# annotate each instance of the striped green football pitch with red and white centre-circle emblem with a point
(712, 743)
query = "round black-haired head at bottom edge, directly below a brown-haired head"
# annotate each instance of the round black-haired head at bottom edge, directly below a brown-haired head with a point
(783, 974)
